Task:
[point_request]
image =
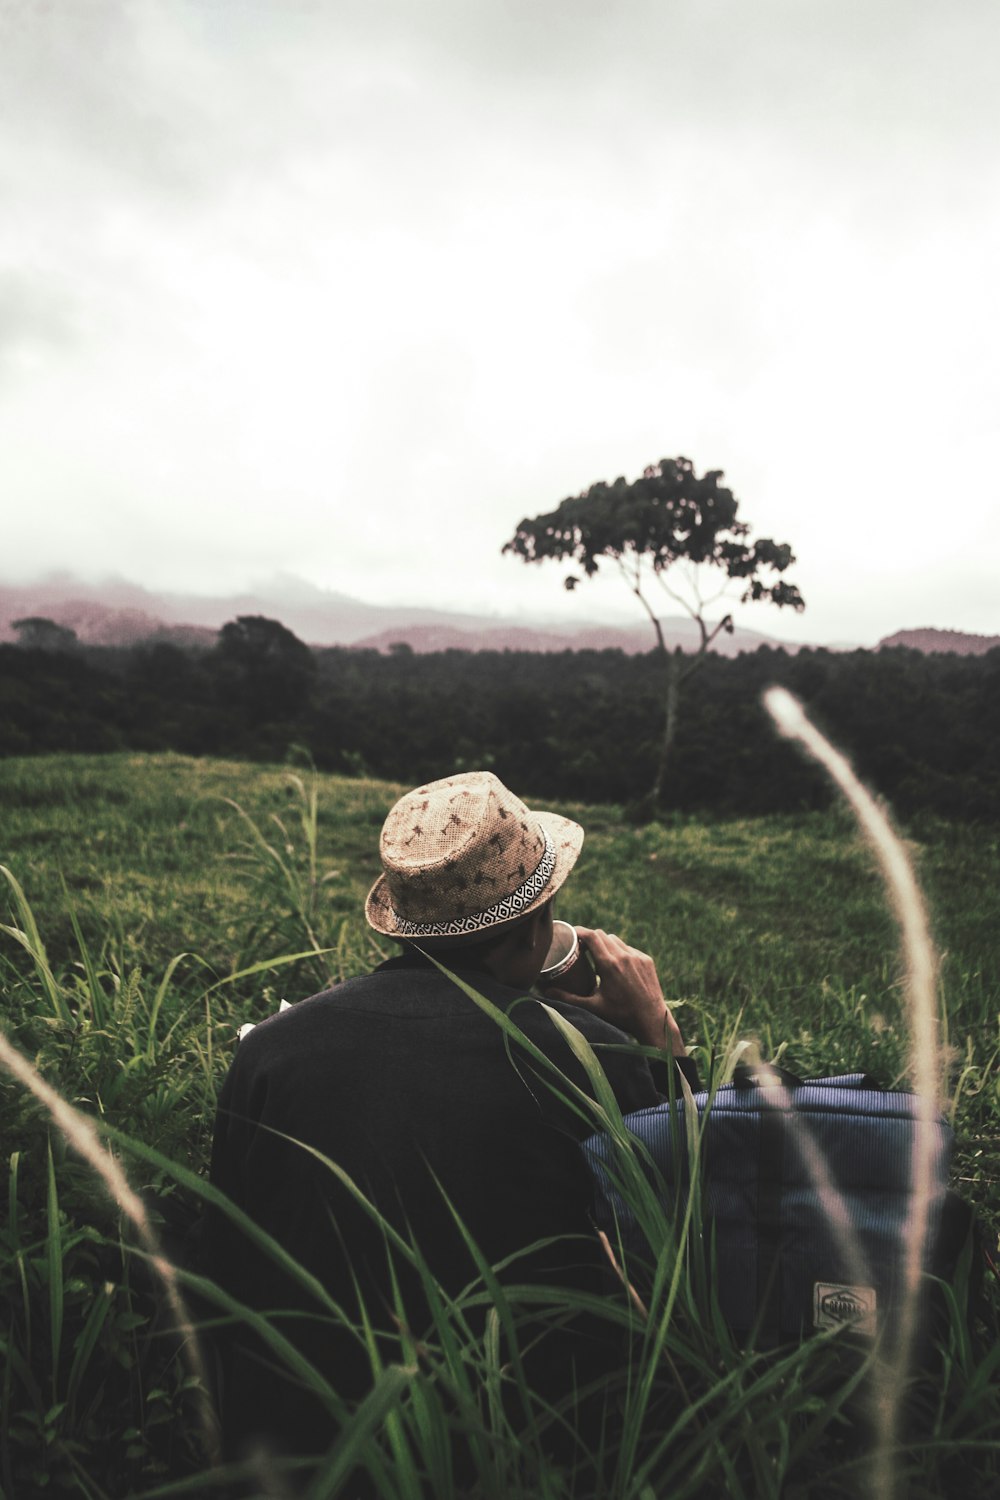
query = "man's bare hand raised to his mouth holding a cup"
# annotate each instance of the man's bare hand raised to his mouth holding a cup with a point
(629, 994)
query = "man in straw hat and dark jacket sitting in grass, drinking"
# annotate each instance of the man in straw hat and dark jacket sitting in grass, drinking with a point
(463, 1142)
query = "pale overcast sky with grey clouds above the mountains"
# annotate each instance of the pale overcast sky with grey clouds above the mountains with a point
(346, 289)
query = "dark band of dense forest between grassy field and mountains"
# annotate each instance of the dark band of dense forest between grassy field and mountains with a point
(923, 730)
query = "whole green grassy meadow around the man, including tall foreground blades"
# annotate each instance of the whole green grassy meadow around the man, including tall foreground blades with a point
(154, 904)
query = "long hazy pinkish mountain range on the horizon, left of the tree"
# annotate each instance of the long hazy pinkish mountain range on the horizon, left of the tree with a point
(125, 614)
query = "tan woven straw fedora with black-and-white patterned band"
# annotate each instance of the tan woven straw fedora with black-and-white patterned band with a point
(464, 856)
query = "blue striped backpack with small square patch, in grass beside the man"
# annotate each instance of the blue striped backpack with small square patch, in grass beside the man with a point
(806, 1199)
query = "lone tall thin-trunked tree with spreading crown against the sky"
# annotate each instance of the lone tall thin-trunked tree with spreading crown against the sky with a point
(665, 532)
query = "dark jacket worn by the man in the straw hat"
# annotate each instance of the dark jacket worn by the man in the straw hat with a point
(412, 1090)
